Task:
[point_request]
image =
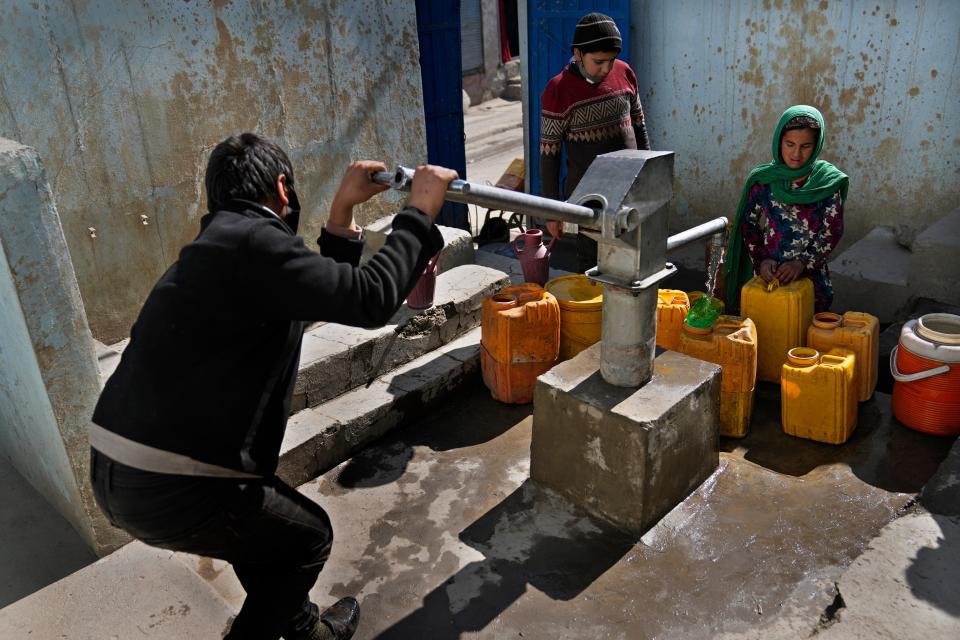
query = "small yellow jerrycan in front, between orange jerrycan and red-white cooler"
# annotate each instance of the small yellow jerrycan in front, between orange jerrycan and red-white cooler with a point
(818, 400)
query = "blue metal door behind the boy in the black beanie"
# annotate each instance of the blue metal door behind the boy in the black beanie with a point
(550, 25)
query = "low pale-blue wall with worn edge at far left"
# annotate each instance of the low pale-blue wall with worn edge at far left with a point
(49, 380)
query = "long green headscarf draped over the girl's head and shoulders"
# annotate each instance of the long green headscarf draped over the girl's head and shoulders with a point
(824, 180)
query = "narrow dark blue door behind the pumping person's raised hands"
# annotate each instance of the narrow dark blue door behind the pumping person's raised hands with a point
(438, 30)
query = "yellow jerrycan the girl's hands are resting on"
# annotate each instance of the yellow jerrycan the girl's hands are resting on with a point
(782, 315)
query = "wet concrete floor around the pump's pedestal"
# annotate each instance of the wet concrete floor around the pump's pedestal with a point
(441, 534)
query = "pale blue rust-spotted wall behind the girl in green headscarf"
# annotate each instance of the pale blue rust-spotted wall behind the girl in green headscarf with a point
(715, 77)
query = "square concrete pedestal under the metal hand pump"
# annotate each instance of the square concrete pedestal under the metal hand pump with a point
(626, 455)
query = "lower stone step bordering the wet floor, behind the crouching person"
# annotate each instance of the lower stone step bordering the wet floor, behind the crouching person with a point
(322, 437)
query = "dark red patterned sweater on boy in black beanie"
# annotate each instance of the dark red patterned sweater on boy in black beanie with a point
(590, 119)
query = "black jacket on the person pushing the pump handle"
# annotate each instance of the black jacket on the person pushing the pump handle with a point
(212, 359)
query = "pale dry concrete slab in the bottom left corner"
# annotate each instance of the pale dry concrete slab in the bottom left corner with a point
(137, 591)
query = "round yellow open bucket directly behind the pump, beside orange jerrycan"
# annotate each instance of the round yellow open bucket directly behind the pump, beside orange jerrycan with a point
(581, 312)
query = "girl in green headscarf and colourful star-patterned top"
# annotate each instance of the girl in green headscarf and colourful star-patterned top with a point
(790, 215)
